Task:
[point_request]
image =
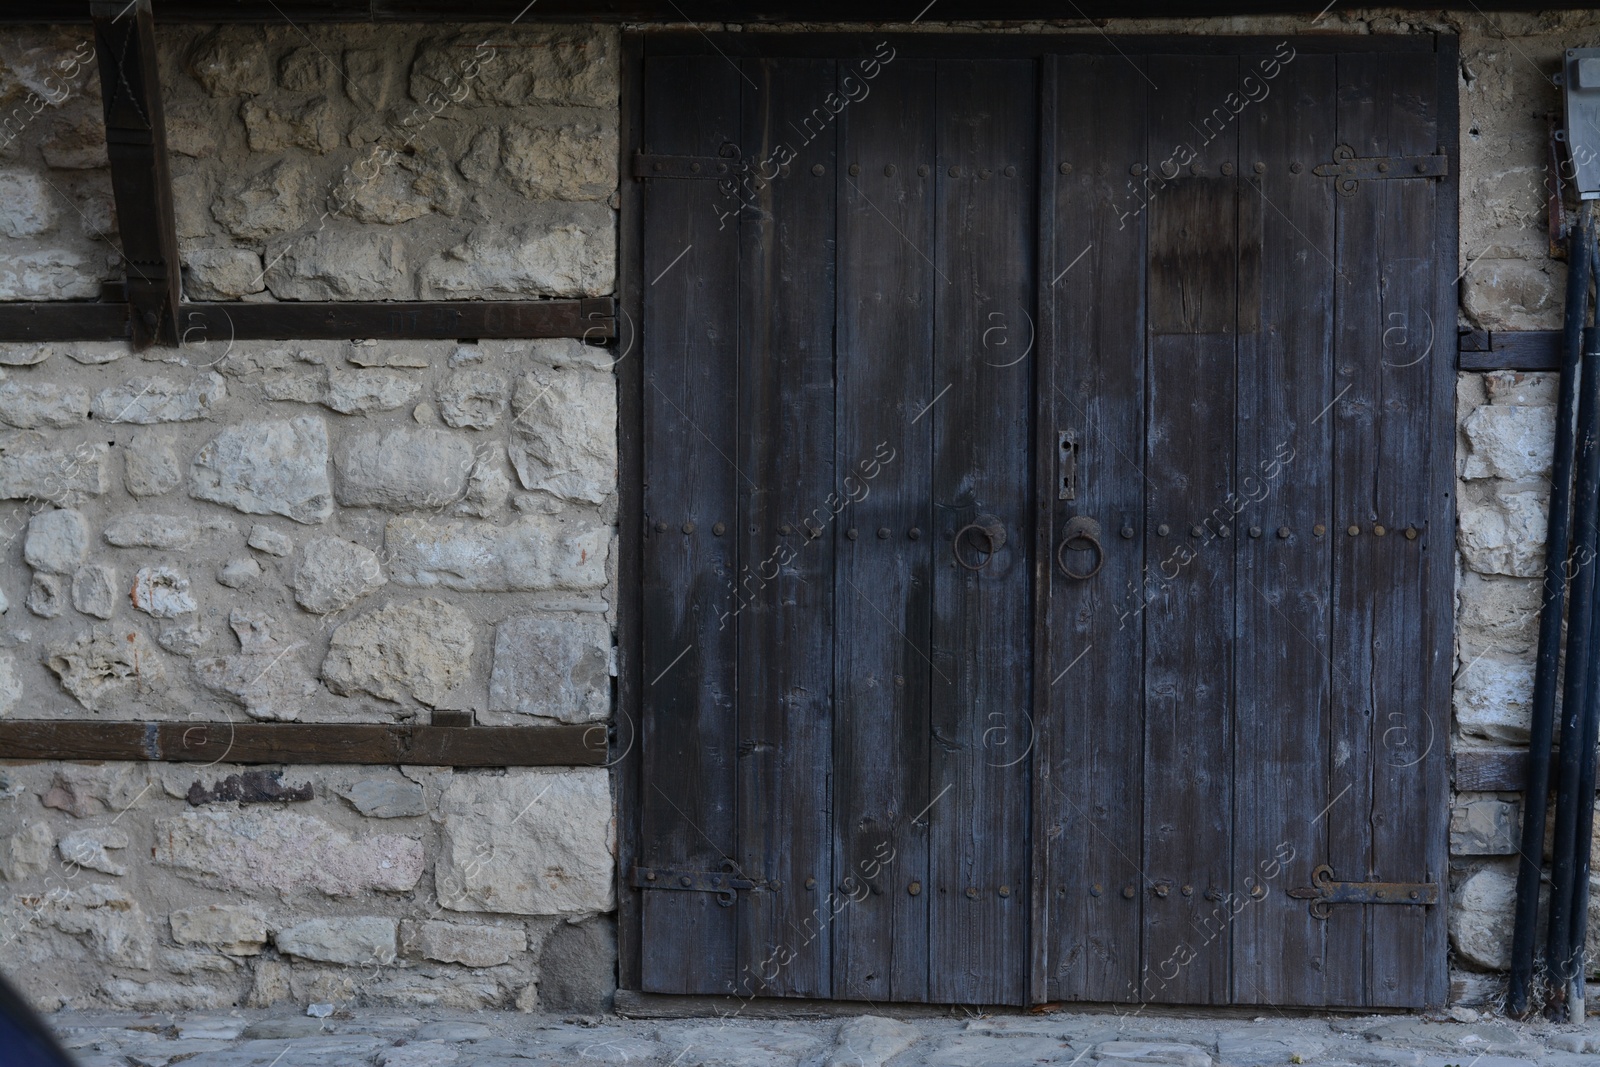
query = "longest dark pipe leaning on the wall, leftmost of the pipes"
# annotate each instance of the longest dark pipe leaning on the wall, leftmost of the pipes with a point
(1548, 671)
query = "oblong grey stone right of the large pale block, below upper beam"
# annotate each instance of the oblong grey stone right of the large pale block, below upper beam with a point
(402, 470)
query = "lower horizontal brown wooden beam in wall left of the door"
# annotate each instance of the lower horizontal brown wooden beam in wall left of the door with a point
(305, 743)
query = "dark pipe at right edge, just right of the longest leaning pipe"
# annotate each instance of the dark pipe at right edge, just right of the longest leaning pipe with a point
(1580, 642)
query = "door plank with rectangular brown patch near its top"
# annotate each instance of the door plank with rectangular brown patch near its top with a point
(1190, 621)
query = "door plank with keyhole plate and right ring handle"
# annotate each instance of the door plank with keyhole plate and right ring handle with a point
(1092, 671)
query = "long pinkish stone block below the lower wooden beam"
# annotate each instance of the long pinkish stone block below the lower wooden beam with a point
(284, 850)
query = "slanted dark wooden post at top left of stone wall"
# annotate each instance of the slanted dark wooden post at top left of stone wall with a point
(140, 180)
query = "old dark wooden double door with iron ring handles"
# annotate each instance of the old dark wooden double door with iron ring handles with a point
(1046, 522)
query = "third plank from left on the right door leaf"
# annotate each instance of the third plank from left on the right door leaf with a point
(1284, 481)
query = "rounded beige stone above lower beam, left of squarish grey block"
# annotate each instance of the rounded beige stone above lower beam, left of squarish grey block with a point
(422, 650)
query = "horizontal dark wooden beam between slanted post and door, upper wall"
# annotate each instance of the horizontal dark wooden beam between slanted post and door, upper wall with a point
(292, 321)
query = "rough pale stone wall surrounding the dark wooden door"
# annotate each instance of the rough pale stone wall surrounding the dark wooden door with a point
(358, 532)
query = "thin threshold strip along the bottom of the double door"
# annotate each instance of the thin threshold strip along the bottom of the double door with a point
(636, 1005)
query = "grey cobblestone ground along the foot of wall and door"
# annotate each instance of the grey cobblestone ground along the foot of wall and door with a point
(260, 1039)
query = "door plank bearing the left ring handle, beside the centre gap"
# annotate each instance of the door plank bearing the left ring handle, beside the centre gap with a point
(982, 466)
